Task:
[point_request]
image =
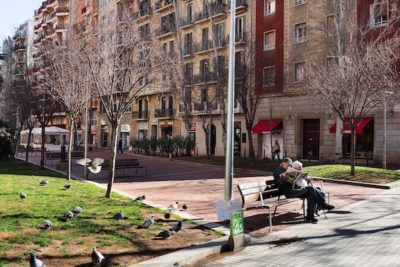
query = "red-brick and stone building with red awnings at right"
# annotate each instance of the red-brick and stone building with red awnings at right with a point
(305, 128)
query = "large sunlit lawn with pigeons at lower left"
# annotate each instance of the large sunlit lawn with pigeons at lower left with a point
(70, 243)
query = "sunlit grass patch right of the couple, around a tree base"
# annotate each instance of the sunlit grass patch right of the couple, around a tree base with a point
(363, 174)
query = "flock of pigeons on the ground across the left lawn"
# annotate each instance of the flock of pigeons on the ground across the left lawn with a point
(97, 257)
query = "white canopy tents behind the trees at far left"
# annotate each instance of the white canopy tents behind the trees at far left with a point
(55, 137)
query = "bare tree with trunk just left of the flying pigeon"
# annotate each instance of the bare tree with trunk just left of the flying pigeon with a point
(67, 82)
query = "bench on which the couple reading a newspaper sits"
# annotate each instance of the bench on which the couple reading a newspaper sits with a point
(265, 195)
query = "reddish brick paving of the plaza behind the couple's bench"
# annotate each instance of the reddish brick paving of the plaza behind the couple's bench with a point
(200, 186)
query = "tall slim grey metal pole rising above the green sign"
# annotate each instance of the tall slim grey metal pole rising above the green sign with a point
(230, 115)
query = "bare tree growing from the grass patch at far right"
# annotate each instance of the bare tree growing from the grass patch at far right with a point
(362, 69)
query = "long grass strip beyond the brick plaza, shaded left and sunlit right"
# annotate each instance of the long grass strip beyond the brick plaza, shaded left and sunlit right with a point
(333, 171)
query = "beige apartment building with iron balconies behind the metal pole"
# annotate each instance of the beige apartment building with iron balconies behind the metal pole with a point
(204, 28)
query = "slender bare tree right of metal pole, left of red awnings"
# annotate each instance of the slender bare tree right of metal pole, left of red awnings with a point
(246, 93)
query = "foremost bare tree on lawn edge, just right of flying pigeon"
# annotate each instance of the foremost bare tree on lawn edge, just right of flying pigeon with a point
(123, 61)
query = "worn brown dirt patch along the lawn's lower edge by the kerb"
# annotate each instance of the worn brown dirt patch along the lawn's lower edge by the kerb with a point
(77, 252)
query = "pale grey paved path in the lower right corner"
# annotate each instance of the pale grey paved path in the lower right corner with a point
(366, 233)
